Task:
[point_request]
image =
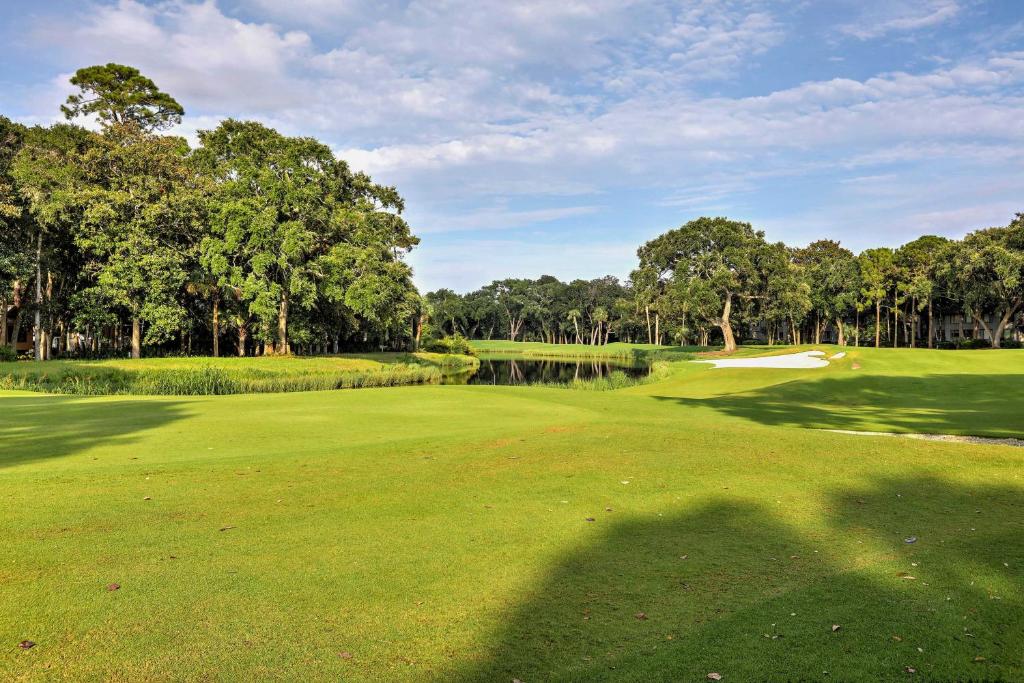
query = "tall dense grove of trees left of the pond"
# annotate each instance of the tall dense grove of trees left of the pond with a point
(123, 237)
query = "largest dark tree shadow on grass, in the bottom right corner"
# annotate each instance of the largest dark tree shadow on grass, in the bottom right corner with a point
(755, 601)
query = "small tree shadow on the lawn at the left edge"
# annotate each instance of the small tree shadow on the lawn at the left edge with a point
(44, 428)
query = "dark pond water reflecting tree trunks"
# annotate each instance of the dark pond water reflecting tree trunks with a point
(505, 370)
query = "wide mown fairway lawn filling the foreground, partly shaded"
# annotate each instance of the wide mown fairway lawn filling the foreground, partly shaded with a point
(442, 533)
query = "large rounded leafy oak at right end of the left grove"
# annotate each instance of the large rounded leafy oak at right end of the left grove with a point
(291, 227)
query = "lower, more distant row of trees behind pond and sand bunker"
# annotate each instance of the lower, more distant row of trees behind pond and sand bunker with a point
(714, 277)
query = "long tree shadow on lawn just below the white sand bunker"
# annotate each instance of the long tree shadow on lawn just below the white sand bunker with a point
(979, 405)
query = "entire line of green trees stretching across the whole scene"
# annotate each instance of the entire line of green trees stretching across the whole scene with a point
(119, 237)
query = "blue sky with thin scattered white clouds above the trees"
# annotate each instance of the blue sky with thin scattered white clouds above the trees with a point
(532, 137)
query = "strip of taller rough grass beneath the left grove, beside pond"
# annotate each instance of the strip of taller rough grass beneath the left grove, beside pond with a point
(205, 376)
